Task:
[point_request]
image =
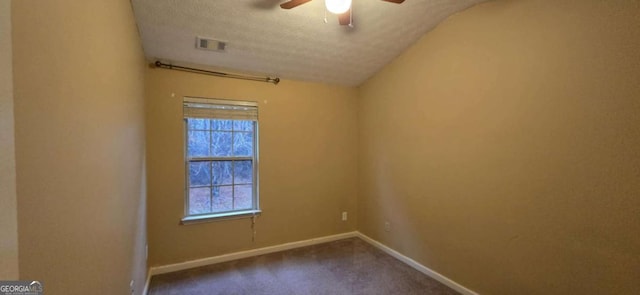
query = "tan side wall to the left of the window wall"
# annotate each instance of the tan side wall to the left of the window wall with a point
(79, 128)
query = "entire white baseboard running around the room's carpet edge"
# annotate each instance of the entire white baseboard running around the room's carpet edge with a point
(287, 246)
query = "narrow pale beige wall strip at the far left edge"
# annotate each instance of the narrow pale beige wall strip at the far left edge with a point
(8, 209)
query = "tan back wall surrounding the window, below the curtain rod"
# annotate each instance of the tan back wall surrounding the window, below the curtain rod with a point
(307, 164)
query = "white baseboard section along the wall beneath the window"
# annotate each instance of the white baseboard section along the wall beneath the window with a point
(249, 253)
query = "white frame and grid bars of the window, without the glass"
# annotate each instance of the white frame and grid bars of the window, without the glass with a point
(232, 214)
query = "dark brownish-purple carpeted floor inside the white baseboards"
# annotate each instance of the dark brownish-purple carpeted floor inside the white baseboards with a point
(349, 266)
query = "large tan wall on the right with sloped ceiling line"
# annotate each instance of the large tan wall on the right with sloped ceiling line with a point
(504, 148)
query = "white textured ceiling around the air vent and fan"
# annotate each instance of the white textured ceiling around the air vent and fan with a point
(294, 44)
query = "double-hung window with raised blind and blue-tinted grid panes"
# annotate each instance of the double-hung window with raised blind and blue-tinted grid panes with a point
(221, 141)
